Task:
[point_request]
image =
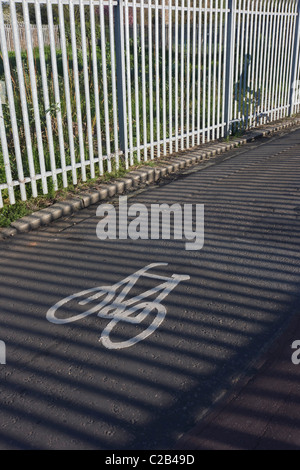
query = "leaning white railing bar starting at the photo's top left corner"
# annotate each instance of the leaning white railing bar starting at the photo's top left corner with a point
(11, 102)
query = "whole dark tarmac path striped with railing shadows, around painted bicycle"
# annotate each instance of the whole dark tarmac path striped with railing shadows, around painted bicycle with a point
(64, 388)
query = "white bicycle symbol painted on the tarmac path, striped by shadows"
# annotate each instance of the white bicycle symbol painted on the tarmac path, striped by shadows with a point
(112, 302)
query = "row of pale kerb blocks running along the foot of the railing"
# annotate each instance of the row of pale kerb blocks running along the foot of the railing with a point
(144, 175)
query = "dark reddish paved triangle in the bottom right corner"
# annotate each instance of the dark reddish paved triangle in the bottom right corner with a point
(263, 413)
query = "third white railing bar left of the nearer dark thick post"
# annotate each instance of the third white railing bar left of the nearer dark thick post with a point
(96, 86)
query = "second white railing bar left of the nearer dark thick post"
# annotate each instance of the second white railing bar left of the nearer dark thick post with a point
(105, 84)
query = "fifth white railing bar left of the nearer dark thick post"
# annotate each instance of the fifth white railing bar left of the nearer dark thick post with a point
(77, 90)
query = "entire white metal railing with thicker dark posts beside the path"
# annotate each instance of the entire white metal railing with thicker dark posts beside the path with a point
(93, 85)
